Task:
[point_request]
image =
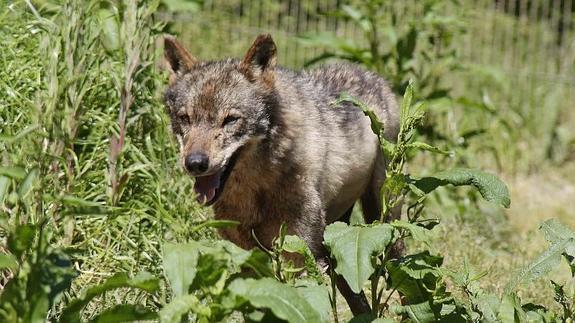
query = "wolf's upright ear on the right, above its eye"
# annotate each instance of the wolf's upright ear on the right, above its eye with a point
(260, 59)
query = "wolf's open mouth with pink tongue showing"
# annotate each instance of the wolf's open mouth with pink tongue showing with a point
(210, 187)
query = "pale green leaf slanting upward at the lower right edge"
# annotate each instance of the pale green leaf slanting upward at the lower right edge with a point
(543, 264)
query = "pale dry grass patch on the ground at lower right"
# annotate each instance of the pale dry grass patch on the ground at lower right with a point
(501, 242)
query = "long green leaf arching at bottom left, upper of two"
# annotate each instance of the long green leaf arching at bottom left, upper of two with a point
(143, 280)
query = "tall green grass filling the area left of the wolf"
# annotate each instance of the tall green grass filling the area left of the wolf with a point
(80, 106)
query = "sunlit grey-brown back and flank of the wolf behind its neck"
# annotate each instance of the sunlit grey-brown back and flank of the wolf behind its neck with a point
(334, 143)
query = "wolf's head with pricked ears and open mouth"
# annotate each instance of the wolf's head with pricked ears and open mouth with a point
(217, 109)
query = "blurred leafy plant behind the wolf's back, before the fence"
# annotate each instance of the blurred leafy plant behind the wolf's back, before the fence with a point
(399, 49)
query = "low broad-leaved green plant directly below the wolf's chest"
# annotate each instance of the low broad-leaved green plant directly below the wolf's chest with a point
(207, 280)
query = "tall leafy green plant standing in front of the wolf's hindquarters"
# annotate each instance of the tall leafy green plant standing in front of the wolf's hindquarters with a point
(363, 252)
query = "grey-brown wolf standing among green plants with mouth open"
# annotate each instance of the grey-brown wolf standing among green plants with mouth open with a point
(267, 145)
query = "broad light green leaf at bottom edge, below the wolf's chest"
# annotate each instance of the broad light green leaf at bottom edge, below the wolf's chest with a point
(283, 300)
